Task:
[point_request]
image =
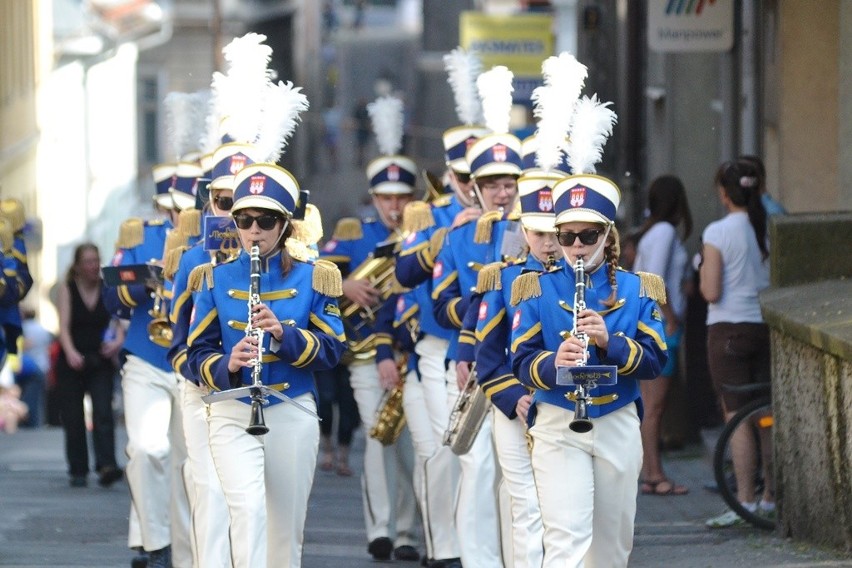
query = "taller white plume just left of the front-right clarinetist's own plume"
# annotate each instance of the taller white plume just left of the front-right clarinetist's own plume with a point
(564, 78)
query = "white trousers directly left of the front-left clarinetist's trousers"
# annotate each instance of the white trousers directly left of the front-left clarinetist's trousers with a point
(209, 521)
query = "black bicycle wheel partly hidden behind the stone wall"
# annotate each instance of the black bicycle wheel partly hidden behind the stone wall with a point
(754, 420)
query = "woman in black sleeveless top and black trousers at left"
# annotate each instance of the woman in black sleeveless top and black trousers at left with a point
(85, 365)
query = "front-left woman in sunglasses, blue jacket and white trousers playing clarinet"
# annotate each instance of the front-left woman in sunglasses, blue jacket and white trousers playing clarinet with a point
(266, 478)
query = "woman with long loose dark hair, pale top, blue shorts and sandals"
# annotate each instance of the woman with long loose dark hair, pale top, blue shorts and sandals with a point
(661, 251)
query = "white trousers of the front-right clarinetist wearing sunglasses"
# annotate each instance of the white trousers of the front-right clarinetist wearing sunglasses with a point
(587, 485)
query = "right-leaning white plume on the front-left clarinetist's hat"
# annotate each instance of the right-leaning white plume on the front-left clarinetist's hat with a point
(281, 110)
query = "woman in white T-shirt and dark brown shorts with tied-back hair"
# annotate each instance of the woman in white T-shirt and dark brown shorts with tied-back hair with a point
(734, 269)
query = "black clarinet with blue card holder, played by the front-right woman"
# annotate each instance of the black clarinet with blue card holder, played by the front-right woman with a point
(585, 377)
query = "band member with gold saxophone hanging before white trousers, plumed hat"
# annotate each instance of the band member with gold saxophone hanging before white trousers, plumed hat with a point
(392, 179)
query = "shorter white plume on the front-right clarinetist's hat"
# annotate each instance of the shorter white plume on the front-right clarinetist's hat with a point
(591, 126)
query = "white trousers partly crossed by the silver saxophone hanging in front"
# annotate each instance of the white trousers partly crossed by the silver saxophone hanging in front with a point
(477, 519)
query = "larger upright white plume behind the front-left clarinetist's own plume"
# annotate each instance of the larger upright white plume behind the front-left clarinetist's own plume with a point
(241, 90)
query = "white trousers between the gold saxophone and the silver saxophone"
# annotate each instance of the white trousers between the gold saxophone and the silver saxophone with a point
(431, 488)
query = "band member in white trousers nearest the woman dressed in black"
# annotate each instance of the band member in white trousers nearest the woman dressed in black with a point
(155, 446)
